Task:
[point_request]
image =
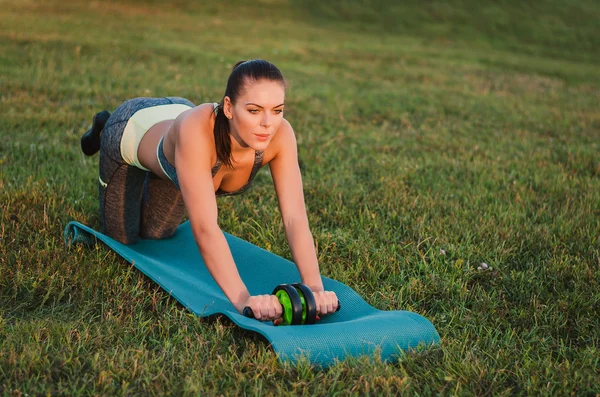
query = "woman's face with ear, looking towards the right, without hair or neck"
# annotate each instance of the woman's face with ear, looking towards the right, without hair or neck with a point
(257, 113)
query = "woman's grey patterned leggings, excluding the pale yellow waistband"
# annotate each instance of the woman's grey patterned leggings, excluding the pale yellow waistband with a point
(134, 202)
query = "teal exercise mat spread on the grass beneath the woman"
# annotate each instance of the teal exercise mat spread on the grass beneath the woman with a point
(357, 329)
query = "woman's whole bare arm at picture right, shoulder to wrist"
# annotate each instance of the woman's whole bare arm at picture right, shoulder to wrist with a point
(288, 186)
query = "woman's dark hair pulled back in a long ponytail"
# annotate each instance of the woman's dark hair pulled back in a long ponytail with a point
(242, 73)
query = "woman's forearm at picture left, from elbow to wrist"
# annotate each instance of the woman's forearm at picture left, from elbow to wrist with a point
(219, 262)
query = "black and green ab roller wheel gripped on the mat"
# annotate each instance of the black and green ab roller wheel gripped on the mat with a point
(298, 302)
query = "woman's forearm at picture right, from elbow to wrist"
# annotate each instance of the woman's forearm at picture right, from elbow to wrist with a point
(304, 255)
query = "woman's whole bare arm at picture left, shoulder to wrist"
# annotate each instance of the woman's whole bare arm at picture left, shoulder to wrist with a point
(193, 163)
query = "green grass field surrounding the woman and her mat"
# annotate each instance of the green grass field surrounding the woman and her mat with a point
(433, 137)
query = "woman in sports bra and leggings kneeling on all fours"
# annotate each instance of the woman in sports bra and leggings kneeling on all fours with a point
(161, 157)
